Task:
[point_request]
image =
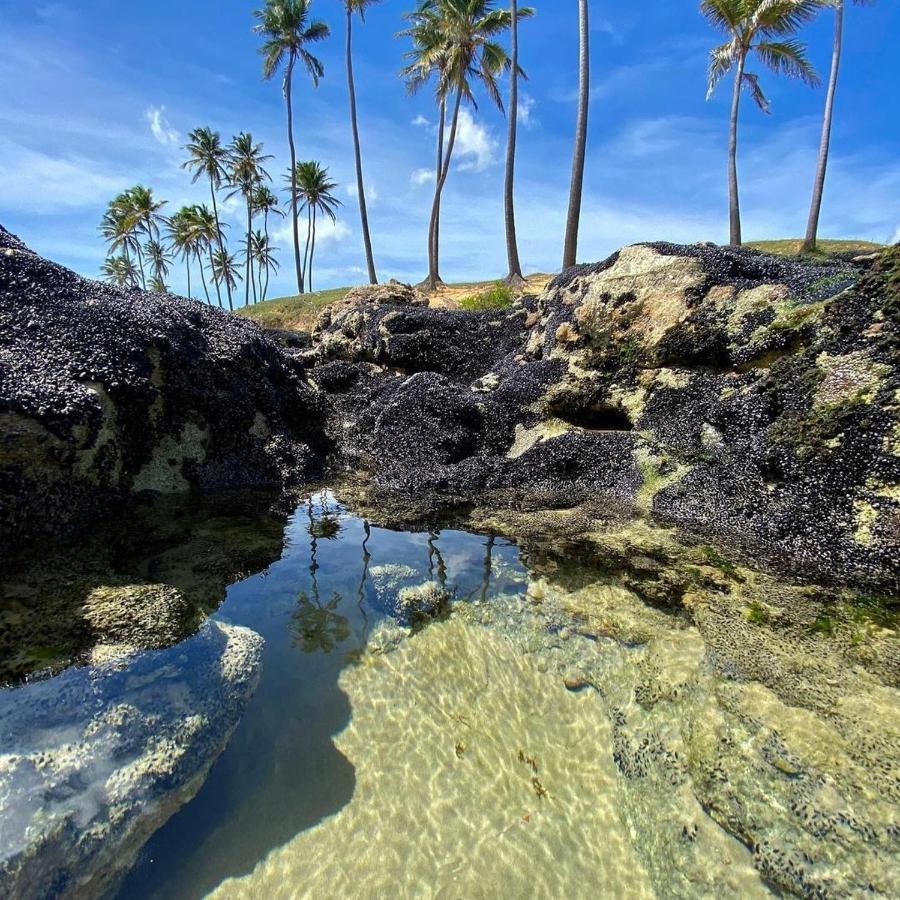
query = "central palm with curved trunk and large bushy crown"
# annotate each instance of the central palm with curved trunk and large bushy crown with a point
(454, 39)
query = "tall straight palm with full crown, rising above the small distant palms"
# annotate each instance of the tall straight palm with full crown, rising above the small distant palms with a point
(287, 29)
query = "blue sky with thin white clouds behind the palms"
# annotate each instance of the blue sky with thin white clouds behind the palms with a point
(97, 95)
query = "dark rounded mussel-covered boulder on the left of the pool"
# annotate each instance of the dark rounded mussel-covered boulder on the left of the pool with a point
(105, 392)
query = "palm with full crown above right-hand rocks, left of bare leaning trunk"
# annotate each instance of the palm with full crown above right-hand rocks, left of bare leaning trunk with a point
(764, 28)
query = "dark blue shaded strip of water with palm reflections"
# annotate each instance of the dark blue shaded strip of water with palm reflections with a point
(316, 608)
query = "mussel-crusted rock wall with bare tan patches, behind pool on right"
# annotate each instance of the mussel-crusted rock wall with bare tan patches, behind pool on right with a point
(745, 396)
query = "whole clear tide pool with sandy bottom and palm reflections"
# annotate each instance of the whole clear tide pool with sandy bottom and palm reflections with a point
(545, 732)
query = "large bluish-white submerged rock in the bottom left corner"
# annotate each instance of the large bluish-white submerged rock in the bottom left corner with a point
(96, 759)
